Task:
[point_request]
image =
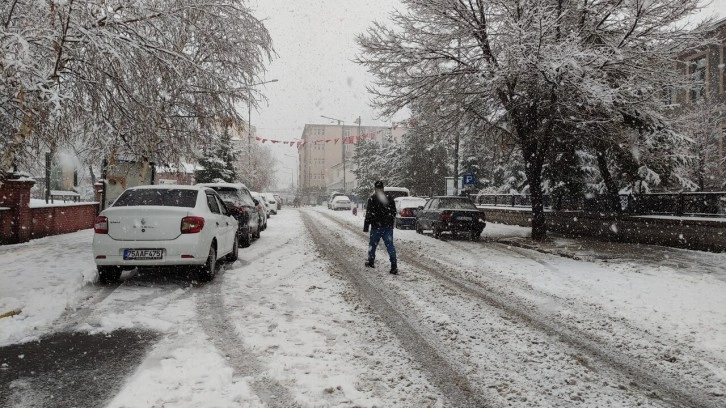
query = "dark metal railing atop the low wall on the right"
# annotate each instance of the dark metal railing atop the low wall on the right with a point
(678, 204)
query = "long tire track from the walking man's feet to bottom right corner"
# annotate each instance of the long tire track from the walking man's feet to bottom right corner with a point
(665, 386)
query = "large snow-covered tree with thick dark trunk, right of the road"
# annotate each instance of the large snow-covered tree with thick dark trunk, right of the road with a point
(526, 66)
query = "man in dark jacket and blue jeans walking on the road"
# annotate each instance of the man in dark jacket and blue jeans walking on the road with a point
(380, 216)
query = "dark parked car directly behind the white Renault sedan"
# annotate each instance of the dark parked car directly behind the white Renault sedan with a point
(241, 205)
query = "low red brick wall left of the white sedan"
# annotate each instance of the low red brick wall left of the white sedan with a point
(48, 221)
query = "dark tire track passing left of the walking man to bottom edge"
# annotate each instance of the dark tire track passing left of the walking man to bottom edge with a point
(454, 385)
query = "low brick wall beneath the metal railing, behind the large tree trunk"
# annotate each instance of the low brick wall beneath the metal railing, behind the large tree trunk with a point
(680, 233)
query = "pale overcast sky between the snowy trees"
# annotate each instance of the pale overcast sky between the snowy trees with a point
(315, 45)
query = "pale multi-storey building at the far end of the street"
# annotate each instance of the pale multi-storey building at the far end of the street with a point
(322, 167)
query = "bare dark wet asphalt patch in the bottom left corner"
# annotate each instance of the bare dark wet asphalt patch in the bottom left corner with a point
(70, 369)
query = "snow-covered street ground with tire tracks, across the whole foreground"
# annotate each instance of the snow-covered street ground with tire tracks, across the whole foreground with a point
(298, 321)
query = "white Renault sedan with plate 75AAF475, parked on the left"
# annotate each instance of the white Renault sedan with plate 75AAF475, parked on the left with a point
(164, 225)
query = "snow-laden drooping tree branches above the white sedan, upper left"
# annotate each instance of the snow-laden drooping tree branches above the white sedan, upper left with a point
(142, 79)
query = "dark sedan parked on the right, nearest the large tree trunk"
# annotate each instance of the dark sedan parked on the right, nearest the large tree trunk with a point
(457, 215)
